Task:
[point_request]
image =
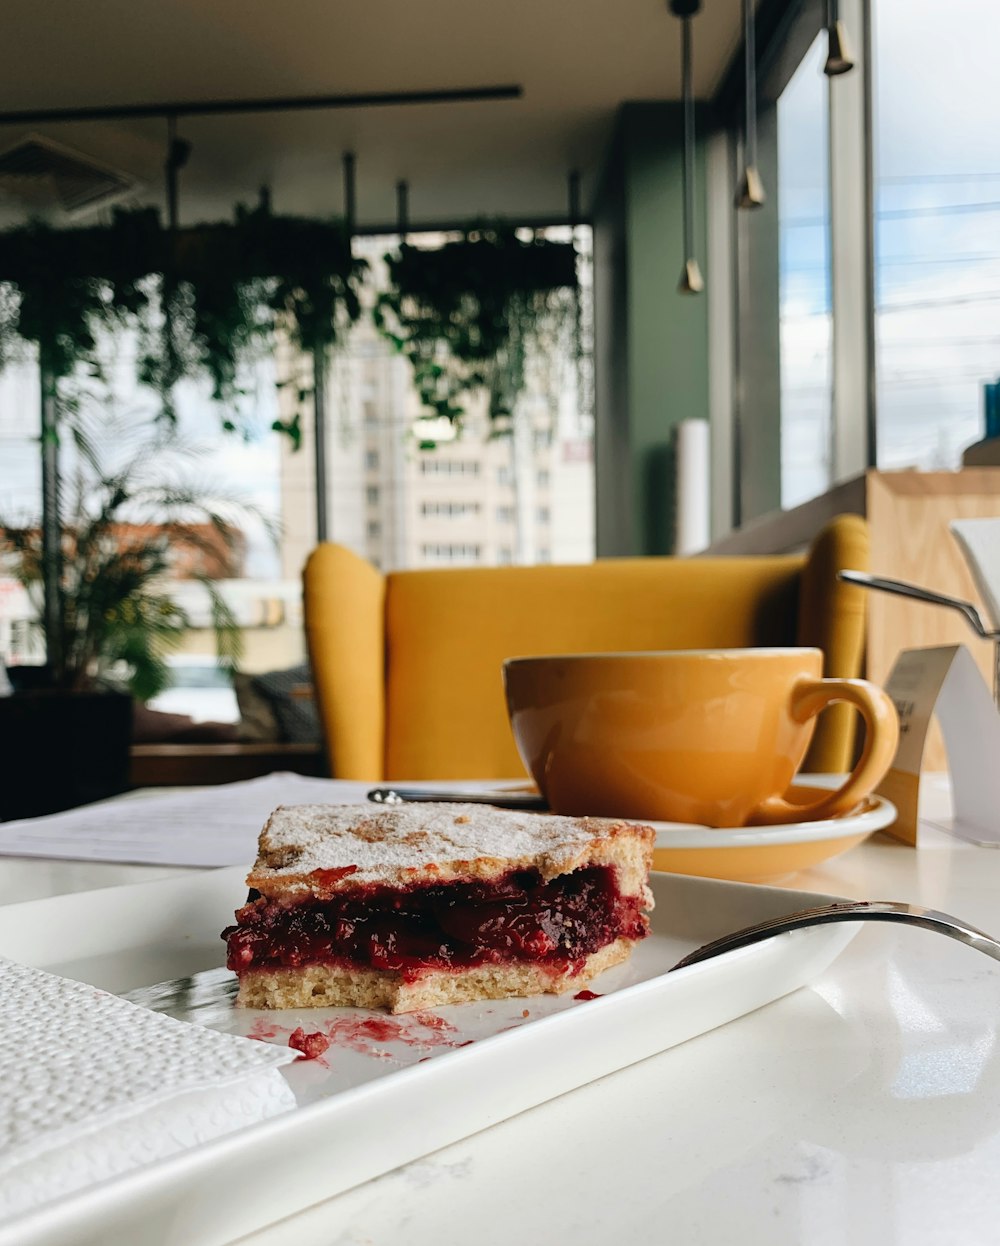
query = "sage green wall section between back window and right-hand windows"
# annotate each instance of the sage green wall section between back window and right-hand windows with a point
(652, 343)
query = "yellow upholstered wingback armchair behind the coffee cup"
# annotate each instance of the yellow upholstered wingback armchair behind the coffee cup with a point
(408, 666)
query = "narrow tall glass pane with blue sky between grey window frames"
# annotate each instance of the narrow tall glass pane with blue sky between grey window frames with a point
(806, 315)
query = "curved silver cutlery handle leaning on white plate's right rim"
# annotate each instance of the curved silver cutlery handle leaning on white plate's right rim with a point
(847, 911)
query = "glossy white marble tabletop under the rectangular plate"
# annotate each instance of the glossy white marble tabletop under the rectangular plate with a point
(864, 1111)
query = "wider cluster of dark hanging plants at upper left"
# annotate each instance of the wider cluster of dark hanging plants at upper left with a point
(205, 301)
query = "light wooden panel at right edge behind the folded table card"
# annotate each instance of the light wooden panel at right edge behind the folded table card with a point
(908, 514)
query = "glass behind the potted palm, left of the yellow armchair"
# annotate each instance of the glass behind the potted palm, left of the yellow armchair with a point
(233, 477)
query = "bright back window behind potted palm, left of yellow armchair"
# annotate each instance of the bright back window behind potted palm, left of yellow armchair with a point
(258, 578)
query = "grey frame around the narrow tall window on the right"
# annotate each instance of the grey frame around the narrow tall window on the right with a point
(744, 346)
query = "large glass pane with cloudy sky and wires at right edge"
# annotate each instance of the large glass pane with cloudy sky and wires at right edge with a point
(937, 226)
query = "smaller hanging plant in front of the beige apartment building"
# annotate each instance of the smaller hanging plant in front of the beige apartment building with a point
(471, 315)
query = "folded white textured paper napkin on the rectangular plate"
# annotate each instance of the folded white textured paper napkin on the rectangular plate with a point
(93, 1086)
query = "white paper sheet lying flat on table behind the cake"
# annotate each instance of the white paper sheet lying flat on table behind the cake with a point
(211, 827)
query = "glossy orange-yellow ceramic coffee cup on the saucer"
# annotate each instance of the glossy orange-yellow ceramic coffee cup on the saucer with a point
(694, 736)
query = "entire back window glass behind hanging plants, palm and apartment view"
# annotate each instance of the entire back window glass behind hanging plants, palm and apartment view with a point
(399, 493)
